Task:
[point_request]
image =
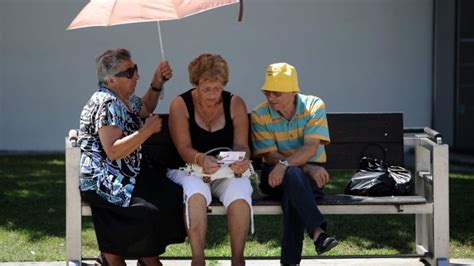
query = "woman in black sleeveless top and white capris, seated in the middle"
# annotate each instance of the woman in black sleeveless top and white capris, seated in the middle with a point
(201, 119)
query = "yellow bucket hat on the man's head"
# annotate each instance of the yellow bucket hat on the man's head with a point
(281, 77)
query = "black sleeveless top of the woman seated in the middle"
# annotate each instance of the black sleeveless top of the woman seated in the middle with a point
(203, 140)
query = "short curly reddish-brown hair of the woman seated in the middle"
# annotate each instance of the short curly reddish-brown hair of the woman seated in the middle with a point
(208, 67)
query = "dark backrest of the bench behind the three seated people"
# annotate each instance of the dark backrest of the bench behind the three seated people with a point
(353, 135)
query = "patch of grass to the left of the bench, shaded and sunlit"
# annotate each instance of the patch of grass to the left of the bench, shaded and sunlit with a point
(32, 199)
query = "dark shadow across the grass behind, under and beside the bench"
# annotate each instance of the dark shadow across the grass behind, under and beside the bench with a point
(32, 200)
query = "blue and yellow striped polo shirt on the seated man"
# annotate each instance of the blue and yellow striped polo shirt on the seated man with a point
(272, 132)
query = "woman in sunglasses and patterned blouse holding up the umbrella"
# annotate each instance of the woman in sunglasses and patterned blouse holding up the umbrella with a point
(136, 212)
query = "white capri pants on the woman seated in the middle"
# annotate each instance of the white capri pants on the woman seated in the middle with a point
(227, 190)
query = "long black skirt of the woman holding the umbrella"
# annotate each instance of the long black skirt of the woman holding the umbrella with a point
(153, 220)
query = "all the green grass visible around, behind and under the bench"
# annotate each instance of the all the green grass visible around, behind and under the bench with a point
(32, 220)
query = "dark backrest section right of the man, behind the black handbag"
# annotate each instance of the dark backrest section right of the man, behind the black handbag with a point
(354, 135)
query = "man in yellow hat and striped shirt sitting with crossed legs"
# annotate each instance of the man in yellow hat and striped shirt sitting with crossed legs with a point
(289, 130)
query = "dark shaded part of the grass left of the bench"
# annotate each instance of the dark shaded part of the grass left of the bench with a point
(32, 197)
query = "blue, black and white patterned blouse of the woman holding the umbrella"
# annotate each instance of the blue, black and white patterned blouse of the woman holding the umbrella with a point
(114, 180)
